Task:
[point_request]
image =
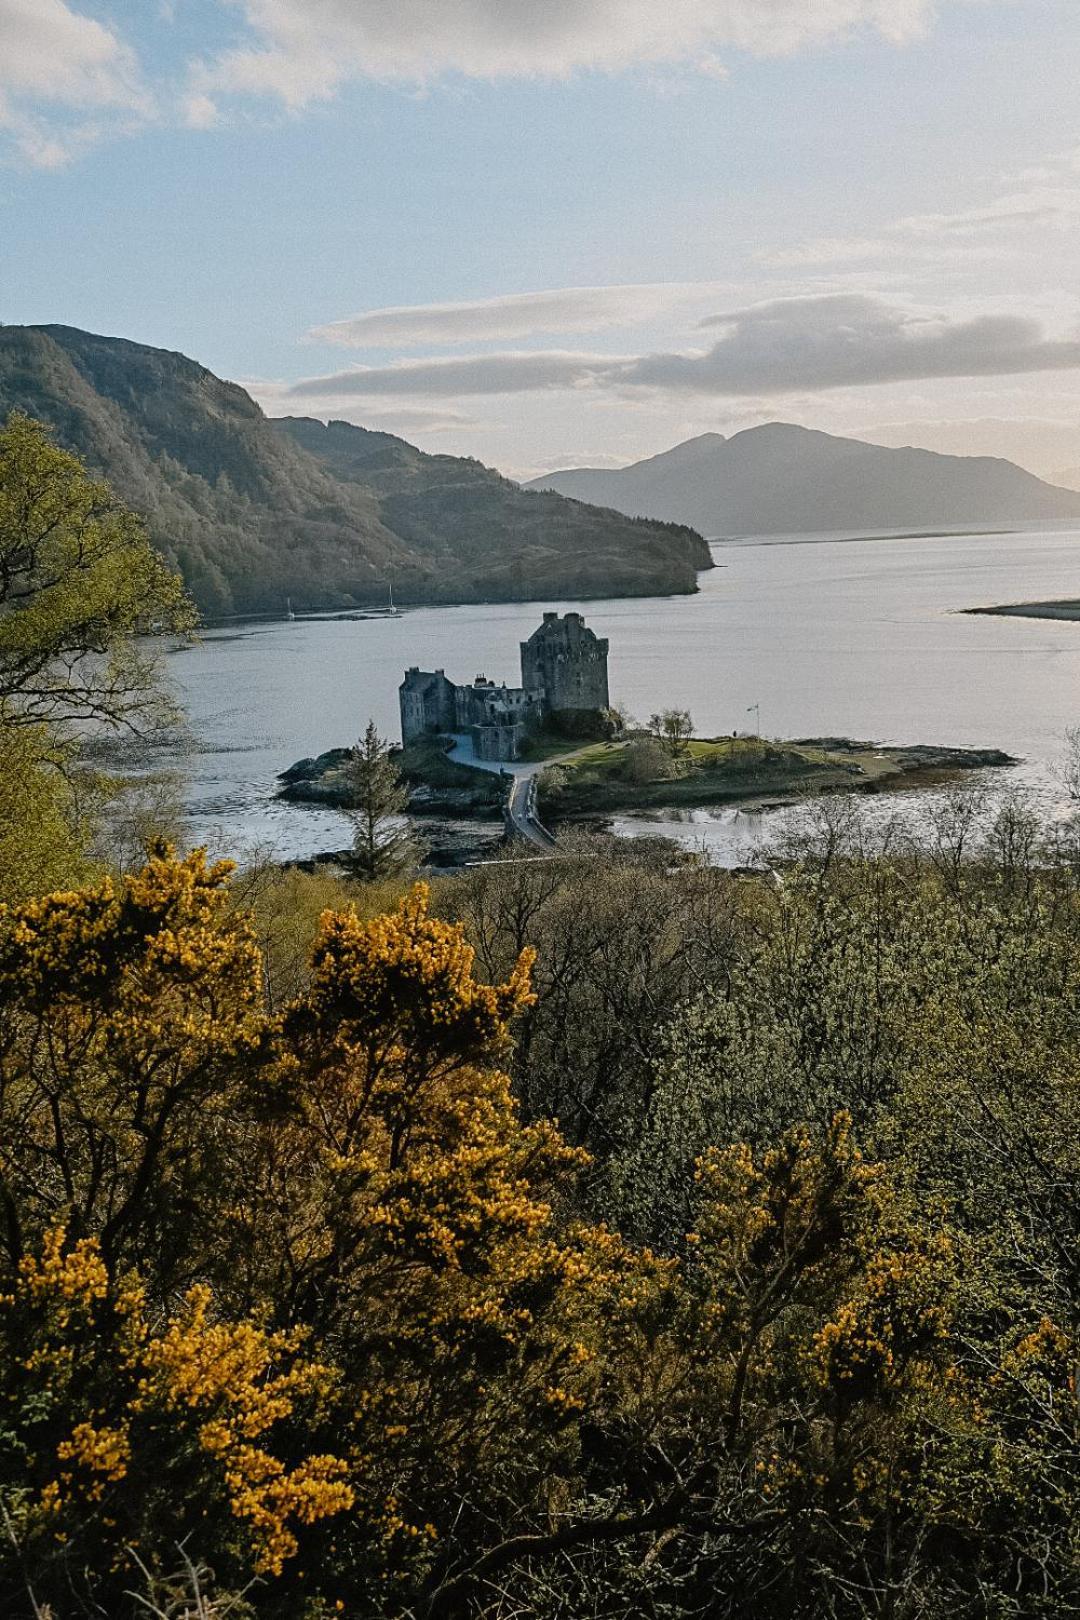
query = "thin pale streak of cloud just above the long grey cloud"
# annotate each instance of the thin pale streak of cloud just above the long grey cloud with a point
(508, 318)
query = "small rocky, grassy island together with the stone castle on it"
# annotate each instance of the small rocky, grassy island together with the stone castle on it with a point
(485, 761)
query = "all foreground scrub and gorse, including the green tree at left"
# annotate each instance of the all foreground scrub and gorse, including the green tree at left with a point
(595, 1237)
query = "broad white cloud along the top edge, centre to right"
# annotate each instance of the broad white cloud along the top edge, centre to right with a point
(305, 51)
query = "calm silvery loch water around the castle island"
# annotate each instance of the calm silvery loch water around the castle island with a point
(846, 637)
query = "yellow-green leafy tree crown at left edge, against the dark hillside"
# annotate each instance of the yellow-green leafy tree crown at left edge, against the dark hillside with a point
(79, 584)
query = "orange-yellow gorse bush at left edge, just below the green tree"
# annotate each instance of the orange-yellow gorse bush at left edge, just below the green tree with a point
(134, 1013)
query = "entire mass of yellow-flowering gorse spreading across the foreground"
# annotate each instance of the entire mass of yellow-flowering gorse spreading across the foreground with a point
(305, 1289)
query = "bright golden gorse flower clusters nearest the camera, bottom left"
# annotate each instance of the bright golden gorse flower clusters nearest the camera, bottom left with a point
(198, 1383)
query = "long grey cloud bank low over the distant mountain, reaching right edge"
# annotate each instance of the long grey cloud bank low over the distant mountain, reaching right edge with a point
(780, 347)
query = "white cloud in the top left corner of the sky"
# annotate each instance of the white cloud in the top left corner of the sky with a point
(66, 80)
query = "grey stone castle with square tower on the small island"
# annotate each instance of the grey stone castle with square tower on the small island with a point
(564, 673)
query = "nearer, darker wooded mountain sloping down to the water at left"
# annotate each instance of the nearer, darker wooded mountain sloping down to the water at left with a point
(255, 511)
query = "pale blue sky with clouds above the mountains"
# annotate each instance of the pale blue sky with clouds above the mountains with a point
(568, 232)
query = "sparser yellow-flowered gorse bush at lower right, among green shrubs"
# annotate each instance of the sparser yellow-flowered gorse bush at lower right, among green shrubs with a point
(828, 1315)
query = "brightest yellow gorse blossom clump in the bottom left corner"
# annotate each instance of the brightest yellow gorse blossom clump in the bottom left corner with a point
(104, 1407)
